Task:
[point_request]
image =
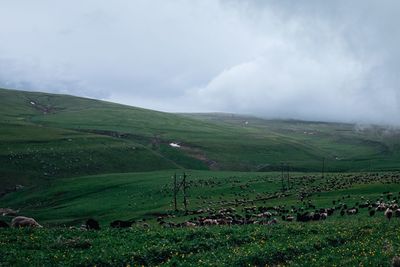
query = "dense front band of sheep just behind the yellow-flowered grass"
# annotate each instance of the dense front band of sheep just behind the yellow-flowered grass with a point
(251, 215)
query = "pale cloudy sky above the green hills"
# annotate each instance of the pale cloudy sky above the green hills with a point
(311, 60)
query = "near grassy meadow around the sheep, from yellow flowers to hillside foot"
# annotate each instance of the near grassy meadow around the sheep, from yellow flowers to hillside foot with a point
(340, 240)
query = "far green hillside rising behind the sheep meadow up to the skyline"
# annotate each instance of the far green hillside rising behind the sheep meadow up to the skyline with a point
(44, 136)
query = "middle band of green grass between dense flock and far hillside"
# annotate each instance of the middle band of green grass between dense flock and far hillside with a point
(145, 195)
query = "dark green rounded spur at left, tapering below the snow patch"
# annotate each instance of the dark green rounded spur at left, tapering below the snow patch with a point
(33, 154)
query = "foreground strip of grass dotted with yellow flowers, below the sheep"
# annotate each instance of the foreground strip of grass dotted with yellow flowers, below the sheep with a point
(365, 243)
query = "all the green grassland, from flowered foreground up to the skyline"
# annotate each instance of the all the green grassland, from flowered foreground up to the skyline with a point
(78, 158)
